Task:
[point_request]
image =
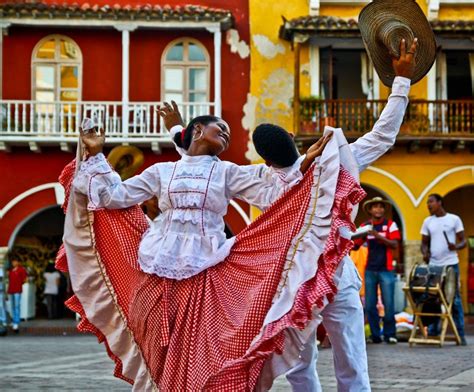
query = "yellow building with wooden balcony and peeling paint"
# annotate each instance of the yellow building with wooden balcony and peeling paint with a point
(309, 68)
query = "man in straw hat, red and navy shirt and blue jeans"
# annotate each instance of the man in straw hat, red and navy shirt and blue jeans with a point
(382, 240)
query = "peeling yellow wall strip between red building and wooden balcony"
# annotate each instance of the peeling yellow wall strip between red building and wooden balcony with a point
(272, 64)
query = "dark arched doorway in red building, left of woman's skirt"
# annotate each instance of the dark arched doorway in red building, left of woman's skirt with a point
(35, 243)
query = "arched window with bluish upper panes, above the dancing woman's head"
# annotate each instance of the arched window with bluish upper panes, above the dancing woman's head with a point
(185, 75)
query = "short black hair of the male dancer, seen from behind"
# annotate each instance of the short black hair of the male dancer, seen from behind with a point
(275, 145)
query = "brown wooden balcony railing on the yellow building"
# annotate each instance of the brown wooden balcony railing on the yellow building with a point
(422, 118)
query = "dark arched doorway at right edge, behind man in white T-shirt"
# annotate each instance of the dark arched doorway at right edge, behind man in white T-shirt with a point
(459, 202)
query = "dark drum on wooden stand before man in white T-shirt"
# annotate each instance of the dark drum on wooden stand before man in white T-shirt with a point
(426, 276)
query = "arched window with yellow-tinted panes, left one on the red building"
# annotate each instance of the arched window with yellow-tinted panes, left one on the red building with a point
(56, 70)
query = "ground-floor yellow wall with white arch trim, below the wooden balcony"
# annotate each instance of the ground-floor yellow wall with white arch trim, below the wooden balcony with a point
(408, 179)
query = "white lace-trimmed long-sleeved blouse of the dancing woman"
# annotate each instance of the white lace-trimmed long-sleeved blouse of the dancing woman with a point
(193, 195)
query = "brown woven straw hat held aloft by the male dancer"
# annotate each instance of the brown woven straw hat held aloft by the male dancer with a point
(383, 23)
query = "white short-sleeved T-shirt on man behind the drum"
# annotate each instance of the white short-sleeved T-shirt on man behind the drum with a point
(436, 228)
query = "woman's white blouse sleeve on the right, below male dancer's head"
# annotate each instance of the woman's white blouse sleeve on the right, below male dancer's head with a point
(259, 185)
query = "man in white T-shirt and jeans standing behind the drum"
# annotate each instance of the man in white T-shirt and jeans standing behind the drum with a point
(442, 236)
